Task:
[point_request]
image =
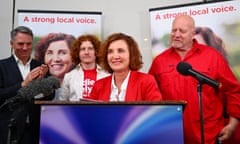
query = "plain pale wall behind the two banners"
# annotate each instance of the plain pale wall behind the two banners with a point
(127, 16)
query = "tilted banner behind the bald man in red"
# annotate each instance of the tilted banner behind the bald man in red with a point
(220, 20)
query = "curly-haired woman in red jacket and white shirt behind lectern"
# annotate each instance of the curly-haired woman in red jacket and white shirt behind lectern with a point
(120, 55)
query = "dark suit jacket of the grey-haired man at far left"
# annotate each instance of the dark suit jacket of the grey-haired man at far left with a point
(10, 83)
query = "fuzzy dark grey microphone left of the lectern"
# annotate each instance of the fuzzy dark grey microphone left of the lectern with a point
(45, 86)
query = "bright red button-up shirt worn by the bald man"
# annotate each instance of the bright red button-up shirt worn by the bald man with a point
(174, 86)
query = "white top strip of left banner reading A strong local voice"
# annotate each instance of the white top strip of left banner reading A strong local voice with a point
(74, 23)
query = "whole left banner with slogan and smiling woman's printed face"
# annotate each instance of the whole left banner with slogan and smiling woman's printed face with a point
(54, 32)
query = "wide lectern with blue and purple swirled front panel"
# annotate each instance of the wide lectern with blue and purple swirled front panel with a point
(111, 122)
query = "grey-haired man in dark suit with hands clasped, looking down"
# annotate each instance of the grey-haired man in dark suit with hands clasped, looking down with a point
(16, 72)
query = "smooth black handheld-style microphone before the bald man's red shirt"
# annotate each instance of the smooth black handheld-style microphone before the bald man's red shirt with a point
(186, 69)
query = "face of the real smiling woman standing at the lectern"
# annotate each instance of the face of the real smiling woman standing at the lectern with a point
(118, 56)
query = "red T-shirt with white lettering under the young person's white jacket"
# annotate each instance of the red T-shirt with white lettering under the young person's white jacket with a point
(90, 77)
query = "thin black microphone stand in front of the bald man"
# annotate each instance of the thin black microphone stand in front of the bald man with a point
(199, 90)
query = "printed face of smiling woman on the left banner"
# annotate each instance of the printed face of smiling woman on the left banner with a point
(58, 58)
